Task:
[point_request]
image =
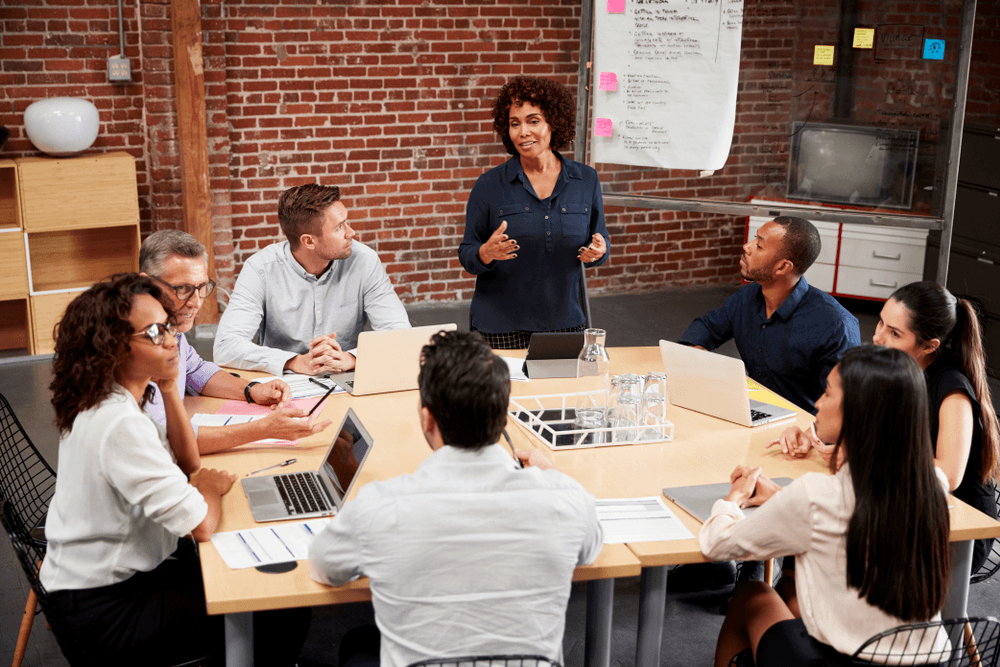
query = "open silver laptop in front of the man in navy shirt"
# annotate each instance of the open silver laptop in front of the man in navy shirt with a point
(715, 385)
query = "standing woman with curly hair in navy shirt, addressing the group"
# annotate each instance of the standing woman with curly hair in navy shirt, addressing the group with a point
(531, 220)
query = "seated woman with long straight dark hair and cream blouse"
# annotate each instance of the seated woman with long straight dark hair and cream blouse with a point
(861, 536)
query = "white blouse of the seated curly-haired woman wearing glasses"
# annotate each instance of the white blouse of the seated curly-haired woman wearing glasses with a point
(120, 501)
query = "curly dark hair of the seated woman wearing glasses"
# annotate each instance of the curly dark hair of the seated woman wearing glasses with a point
(91, 342)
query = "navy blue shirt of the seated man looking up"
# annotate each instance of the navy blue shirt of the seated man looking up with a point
(790, 352)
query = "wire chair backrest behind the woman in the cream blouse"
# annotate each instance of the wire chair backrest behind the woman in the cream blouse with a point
(973, 641)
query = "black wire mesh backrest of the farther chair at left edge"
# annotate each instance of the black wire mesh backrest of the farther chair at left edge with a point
(26, 480)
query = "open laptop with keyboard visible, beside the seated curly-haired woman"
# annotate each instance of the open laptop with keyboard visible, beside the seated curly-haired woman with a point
(304, 495)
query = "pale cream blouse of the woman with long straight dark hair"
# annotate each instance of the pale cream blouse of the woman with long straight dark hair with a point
(807, 519)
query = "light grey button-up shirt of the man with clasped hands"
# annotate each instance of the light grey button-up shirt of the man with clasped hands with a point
(285, 307)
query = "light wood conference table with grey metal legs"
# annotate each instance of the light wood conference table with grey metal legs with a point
(703, 450)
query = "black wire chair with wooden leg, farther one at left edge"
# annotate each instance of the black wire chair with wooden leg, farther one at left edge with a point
(27, 482)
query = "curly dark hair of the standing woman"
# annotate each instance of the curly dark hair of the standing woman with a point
(555, 101)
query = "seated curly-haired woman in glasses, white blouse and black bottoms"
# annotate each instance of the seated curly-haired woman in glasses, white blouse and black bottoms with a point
(123, 498)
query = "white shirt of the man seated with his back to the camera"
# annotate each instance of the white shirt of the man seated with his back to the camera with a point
(468, 555)
